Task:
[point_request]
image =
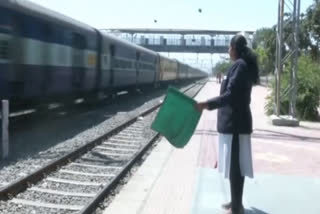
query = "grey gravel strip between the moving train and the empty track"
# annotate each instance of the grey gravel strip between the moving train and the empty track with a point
(13, 170)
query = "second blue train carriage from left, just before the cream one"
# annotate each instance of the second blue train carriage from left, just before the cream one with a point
(126, 66)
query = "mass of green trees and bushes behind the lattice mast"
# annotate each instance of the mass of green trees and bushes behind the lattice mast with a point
(308, 79)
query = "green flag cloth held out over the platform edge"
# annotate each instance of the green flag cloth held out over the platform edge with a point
(177, 118)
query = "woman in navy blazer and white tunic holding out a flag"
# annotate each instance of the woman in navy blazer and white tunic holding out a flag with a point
(235, 121)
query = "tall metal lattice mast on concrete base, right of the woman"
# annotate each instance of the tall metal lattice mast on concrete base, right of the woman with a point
(292, 8)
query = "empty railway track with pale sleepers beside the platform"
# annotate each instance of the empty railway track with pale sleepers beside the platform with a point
(80, 180)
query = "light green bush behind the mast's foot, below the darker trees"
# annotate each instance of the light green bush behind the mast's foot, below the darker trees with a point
(308, 83)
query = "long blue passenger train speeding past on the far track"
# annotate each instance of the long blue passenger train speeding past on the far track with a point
(44, 54)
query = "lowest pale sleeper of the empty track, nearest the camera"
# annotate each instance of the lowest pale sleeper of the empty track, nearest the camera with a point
(46, 205)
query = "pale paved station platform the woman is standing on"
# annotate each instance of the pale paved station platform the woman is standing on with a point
(185, 181)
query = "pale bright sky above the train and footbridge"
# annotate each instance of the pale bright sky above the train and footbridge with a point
(241, 15)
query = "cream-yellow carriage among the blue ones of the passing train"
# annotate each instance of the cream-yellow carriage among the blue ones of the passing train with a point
(168, 69)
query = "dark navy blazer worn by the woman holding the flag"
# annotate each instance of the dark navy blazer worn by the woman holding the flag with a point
(233, 104)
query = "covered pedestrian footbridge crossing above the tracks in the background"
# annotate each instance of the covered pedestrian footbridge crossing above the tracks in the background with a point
(179, 40)
